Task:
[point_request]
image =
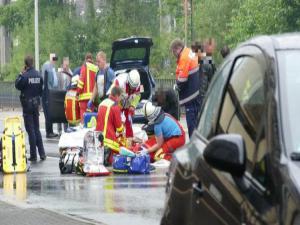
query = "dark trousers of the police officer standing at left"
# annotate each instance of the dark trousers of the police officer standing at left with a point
(32, 126)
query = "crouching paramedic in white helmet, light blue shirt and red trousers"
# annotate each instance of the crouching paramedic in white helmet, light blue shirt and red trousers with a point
(169, 134)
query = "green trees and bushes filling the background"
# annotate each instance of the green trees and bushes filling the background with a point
(64, 31)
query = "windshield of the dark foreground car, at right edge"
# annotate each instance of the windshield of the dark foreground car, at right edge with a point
(289, 69)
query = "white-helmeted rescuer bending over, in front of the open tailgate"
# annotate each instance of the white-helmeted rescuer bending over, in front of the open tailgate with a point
(130, 84)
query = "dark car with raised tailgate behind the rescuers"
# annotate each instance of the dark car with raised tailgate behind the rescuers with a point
(134, 53)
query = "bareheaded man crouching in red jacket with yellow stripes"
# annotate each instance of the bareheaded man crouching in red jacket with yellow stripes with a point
(109, 122)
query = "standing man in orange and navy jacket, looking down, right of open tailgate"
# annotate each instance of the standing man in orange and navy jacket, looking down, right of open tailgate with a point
(188, 82)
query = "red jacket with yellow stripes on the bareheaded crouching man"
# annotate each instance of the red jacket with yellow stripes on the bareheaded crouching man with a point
(109, 122)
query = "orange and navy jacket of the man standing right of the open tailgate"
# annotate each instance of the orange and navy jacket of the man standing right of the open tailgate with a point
(187, 76)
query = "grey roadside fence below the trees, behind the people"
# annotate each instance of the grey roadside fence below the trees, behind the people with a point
(9, 96)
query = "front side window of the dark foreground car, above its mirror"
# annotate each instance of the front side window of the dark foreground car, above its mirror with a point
(242, 108)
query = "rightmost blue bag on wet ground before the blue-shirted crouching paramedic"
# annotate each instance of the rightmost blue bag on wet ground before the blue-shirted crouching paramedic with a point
(140, 164)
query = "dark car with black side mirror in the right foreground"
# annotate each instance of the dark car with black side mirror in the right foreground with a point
(242, 164)
